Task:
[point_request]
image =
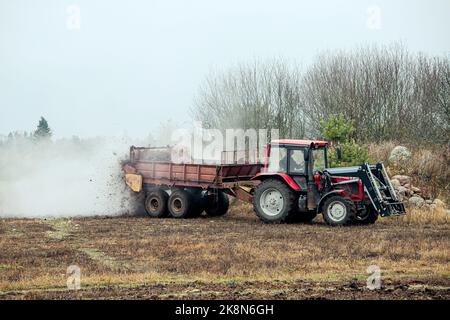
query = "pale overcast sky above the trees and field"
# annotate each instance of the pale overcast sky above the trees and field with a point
(126, 66)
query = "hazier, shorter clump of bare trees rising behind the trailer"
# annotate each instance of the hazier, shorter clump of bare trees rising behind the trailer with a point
(257, 95)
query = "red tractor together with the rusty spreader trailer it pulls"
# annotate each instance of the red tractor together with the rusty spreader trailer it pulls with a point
(293, 184)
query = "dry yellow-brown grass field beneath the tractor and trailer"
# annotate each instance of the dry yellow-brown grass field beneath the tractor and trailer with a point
(134, 252)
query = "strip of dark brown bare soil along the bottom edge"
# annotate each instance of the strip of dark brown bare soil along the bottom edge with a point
(431, 289)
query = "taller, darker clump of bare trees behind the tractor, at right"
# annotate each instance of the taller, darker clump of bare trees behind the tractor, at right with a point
(389, 93)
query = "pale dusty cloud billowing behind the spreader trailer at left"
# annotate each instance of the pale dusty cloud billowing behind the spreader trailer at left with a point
(69, 177)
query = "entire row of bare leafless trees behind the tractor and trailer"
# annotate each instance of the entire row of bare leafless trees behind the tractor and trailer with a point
(387, 93)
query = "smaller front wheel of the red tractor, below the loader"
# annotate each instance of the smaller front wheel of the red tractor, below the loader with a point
(345, 214)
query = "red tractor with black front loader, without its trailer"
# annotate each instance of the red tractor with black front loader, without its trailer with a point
(296, 184)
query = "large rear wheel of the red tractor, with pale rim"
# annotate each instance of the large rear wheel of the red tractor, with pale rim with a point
(273, 213)
